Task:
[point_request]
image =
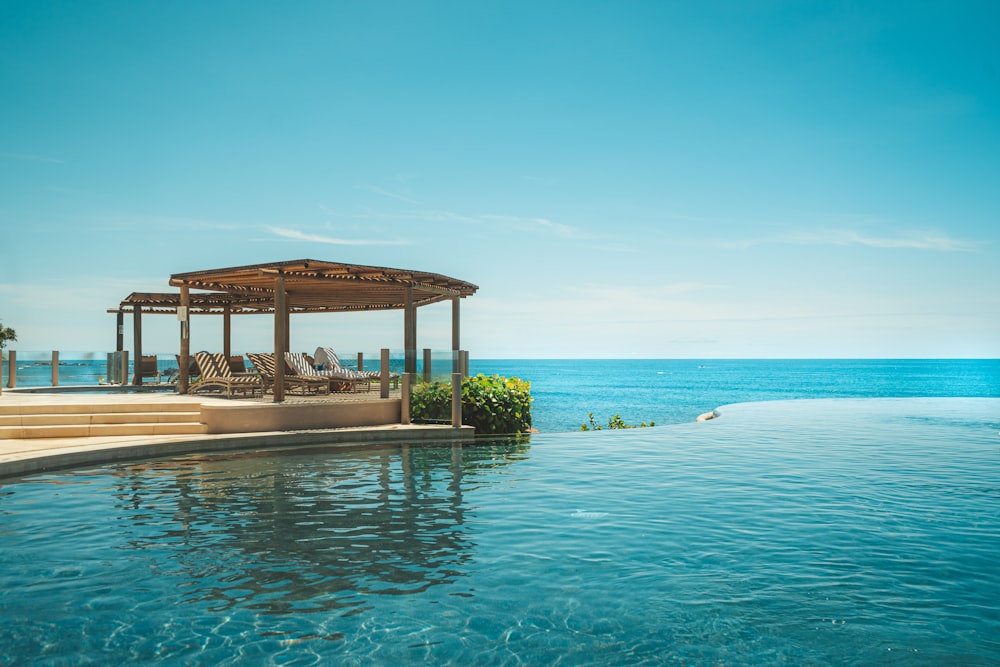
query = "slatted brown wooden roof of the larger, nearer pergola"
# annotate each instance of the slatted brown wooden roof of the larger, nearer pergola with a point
(315, 286)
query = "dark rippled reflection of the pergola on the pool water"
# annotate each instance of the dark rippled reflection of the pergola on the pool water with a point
(280, 536)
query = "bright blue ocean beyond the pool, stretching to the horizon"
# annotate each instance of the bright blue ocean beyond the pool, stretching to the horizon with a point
(663, 391)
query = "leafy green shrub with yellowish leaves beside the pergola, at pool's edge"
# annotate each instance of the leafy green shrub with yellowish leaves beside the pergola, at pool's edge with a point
(493, 404)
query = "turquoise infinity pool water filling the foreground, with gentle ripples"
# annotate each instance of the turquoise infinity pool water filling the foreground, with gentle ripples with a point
(849, 532)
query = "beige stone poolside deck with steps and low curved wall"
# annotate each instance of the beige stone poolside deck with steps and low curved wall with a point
(226, 424)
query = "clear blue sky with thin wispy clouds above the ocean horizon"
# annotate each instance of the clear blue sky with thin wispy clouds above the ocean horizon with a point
(643, 179)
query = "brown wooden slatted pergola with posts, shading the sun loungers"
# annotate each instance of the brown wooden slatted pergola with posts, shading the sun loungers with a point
(297, 286)
